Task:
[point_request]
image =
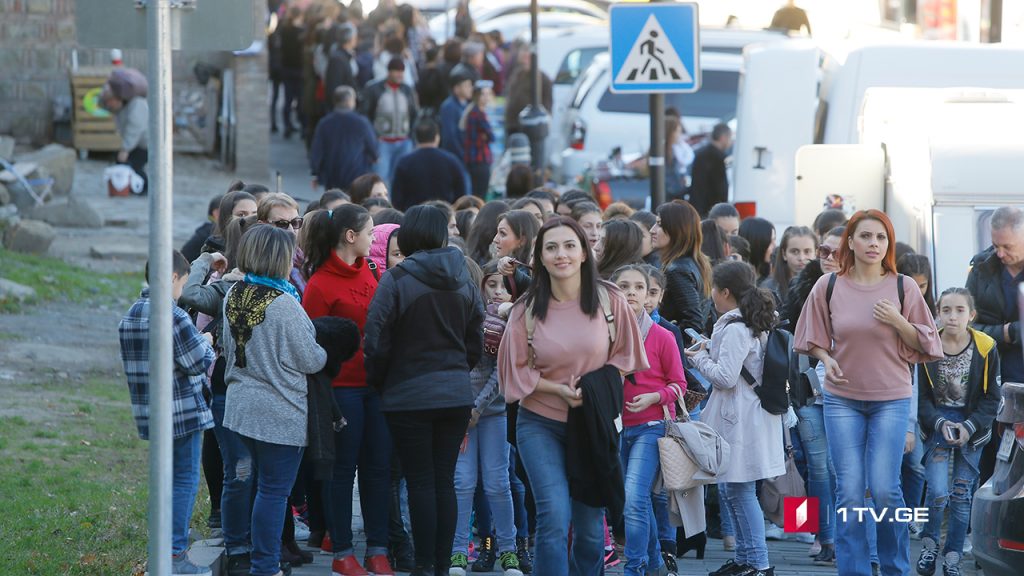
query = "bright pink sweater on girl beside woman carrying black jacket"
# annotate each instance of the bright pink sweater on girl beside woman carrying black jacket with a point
(666, 368)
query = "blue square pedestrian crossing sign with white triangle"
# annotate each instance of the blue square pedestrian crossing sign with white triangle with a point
(656, 49)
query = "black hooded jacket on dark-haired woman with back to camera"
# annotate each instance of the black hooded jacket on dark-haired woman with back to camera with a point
(424, 334)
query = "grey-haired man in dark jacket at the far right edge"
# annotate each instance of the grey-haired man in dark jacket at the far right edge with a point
(994, 282)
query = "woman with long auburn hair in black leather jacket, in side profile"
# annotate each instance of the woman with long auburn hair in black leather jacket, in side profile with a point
(677, 235)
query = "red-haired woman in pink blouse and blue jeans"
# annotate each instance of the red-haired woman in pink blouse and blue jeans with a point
(868, 340)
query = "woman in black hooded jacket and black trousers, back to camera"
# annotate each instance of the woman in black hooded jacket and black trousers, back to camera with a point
(423, 336)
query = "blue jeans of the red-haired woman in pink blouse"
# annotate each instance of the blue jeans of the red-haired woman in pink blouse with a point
(866, 440)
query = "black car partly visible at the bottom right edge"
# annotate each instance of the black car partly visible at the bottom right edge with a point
(998, 515)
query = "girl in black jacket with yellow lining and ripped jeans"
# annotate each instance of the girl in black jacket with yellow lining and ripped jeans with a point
(957, 404)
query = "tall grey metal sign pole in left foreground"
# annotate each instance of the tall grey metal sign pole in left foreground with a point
(161, 361)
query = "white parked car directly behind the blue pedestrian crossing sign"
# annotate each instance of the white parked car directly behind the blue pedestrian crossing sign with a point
(599, 120)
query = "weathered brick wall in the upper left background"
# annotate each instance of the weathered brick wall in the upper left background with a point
(37, 39)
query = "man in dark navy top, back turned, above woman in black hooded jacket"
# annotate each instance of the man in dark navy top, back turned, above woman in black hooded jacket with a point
(429, 173)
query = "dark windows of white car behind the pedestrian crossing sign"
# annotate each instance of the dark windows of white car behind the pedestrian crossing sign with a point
(716, 99)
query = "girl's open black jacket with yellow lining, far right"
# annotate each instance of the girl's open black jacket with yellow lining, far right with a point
(984, 394)
